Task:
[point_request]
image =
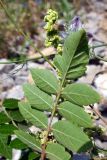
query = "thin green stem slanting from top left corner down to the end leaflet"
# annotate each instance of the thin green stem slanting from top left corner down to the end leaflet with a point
(27, 38)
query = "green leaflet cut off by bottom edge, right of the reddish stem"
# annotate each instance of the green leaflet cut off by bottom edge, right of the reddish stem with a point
(55, 151)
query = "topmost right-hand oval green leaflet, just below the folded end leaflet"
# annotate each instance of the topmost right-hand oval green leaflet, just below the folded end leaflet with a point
(80, 94)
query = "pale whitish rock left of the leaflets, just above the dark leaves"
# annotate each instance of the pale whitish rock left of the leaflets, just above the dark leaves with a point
(16, 92)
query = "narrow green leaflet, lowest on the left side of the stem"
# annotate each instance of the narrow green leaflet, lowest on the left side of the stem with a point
(29, 140)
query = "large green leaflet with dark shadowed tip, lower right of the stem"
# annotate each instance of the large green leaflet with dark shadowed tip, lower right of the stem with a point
(71, 136)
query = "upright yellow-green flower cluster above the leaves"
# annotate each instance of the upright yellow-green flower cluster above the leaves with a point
(52, 39)
